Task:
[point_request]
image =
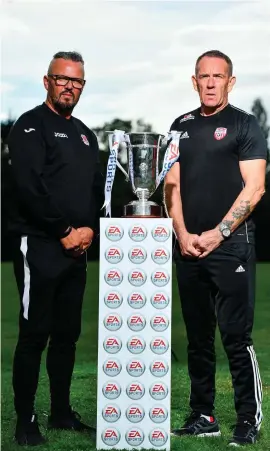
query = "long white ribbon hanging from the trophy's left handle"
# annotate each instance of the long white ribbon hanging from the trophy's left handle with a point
(115, 140)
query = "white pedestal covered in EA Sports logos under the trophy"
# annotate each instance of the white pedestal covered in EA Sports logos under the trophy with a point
(134, 371)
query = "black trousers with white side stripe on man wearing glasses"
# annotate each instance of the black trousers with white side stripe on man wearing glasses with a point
(51, 287)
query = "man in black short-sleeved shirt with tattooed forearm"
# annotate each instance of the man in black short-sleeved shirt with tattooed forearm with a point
(210, 193)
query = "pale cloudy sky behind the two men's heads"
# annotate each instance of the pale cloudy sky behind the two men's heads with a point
(139, 55)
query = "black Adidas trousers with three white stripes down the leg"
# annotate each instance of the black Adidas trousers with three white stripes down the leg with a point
(221, 289)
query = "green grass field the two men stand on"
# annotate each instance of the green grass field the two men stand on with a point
(85, 377)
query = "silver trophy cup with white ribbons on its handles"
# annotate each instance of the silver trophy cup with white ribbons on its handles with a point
(150, 156)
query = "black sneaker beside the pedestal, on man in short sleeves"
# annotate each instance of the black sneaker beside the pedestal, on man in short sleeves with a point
(199, 425)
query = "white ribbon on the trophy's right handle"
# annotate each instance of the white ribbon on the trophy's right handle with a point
(171, 141)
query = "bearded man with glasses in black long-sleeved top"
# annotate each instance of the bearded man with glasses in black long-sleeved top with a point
(55, 197)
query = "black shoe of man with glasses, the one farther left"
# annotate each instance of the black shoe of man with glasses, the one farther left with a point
(27, 432)
